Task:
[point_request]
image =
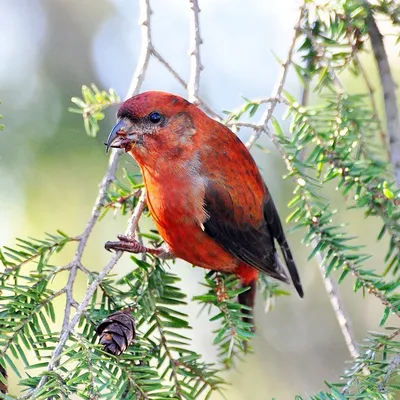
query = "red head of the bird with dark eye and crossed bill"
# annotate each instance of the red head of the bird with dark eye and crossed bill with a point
(154, 124)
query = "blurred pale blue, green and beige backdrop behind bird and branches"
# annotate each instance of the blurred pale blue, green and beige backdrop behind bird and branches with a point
(50, 169)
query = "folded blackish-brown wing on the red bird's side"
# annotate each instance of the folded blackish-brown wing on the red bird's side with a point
(251, 243)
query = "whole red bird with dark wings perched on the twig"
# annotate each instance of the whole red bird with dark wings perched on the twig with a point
(204, 191)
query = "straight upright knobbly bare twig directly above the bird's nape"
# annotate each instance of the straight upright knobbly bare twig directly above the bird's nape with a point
(195, 62)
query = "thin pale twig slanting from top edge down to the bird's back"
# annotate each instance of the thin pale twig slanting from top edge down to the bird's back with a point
(281, 82)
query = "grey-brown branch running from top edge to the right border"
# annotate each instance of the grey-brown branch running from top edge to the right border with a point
(389, 91)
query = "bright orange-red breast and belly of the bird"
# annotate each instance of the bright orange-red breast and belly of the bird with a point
(176, 203)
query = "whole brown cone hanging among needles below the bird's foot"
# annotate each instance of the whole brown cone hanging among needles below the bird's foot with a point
(117, 332)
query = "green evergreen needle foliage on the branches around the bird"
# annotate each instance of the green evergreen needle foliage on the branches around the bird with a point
(337, 141)
